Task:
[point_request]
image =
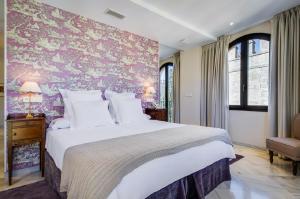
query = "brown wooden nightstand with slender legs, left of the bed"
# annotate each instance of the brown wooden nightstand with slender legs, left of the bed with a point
(22, 131)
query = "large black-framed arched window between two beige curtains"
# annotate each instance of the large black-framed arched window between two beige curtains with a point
(248, 64)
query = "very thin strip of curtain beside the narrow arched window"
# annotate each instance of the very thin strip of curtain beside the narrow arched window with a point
(176, 87)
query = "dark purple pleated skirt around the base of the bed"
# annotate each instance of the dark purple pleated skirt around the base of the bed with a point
(194, 186)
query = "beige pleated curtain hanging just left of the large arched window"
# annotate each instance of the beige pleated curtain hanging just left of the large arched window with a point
(214, 85)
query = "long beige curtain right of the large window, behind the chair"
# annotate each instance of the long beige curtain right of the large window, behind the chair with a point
(284, 100)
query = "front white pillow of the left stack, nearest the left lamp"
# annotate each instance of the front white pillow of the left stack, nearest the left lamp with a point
(91, 114)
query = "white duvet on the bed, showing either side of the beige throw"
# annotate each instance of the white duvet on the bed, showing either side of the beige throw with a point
(151, 176)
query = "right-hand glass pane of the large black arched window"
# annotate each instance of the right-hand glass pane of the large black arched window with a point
(258, 72)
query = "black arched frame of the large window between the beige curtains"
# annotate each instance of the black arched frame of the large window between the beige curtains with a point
(244, 71)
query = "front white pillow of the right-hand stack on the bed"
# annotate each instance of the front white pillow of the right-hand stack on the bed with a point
(129, 110)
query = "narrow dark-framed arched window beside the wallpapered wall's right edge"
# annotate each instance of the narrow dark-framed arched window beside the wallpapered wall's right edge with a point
(166, 89)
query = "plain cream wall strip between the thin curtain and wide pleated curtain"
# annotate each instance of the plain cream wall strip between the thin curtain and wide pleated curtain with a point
(189, 86)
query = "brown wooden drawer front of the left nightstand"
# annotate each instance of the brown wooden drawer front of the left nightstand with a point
(26, 133)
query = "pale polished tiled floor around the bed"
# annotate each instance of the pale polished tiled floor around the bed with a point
(253, 177)
